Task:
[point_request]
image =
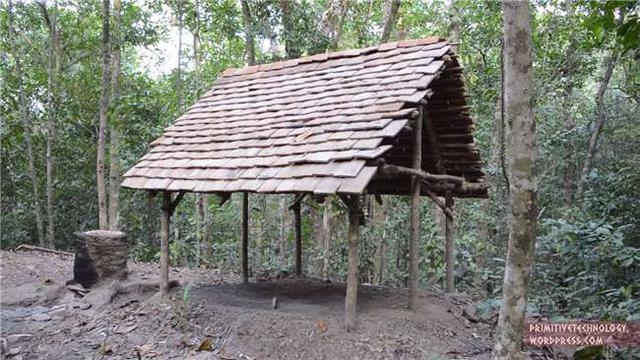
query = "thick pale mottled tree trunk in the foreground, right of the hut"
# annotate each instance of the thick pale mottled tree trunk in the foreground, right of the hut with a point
(518, 100)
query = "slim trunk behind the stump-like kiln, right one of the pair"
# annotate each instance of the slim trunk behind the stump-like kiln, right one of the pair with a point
(114, 131)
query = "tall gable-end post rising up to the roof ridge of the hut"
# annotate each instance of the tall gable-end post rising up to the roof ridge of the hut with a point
(415, 212)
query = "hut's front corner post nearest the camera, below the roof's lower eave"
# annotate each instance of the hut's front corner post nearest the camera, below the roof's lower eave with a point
(351, 299)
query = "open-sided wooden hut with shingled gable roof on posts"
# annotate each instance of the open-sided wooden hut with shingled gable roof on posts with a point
(388, 119)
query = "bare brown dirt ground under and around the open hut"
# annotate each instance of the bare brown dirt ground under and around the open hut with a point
(210, 315)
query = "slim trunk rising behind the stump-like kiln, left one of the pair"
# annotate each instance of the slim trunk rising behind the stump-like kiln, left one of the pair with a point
(104, 108)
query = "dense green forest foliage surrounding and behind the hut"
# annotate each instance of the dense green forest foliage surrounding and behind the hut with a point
(587, 261)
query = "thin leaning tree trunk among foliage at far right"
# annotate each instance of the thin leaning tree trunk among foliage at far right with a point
(609, 66)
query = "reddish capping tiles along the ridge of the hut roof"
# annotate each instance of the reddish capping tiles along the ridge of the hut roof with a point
(332, 55)
